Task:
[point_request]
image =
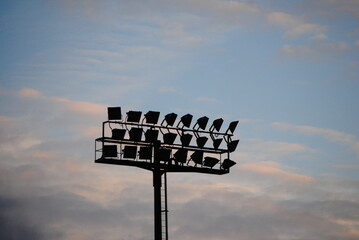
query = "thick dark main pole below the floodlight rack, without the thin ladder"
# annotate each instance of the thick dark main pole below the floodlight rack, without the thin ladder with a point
(157, 203)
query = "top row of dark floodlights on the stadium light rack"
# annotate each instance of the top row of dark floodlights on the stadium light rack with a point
(151, 117)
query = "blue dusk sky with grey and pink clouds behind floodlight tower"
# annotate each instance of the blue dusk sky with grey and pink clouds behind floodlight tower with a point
(287, 70)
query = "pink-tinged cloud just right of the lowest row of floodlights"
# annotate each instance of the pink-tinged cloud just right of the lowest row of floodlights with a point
(274, 169)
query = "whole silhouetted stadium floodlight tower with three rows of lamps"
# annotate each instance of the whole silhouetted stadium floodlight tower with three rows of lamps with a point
(139, 141)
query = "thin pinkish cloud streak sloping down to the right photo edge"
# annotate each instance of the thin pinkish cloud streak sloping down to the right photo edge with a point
(346, 139)
